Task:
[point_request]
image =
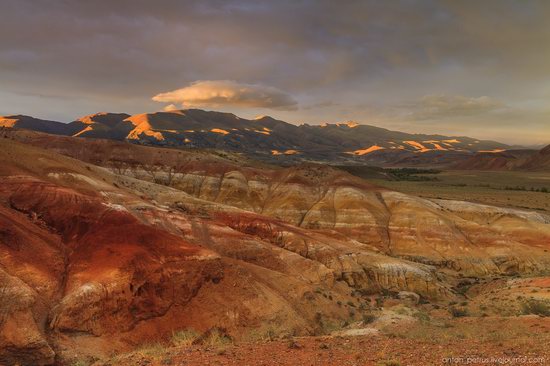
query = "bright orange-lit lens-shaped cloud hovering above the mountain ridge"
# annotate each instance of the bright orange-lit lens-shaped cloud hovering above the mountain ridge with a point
(219, 93)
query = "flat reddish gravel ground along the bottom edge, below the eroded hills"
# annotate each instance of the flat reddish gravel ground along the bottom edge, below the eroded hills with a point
(470, 341)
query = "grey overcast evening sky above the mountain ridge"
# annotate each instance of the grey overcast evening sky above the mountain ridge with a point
(475, 68)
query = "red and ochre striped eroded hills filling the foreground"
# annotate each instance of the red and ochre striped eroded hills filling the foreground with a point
(107, 248)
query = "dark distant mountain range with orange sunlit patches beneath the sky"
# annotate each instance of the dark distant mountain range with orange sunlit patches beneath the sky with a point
(267, 138)
